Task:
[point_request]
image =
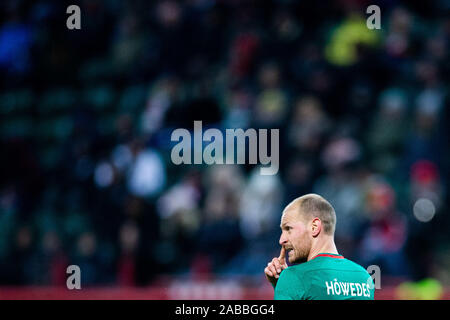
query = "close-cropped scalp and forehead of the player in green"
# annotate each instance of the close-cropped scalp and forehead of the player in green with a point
(312, 206)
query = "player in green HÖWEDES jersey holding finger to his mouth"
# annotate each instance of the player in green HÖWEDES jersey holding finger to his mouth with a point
(320, 272)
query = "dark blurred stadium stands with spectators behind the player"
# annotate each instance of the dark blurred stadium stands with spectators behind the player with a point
(86, 118)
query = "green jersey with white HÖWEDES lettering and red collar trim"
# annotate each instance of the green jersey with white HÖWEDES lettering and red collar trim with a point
(325, 277)
